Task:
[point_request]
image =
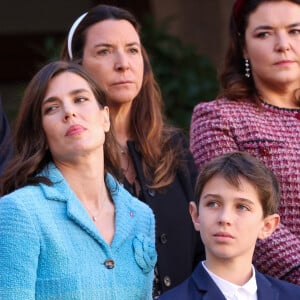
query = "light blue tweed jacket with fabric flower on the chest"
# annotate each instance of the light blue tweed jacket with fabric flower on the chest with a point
(51, 249)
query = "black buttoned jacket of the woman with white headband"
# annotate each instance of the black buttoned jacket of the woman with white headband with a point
(178, 245)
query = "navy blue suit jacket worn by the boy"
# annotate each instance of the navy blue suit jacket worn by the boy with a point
(200, 286)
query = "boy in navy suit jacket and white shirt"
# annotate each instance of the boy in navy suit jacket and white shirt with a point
(236, 204)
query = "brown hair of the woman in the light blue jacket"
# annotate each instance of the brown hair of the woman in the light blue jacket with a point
(31, 149)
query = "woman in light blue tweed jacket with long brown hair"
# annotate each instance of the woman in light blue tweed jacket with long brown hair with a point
(68, 229)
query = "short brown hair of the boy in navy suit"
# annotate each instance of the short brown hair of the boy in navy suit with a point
(232, 167)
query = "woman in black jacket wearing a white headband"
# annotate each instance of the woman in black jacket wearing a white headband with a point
(155, 163)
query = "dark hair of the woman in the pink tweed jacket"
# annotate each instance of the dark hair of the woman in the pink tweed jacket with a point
(235, 85)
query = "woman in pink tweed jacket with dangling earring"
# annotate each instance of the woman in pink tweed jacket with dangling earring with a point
(261, 78)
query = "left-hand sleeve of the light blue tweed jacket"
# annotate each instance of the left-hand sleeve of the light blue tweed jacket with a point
(19, 251)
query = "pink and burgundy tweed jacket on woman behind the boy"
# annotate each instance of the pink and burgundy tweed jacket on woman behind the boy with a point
(271, 134)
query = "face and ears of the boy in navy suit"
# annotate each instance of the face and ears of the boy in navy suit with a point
(230, 219)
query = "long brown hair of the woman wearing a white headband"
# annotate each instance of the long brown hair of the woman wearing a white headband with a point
(147, 124)
